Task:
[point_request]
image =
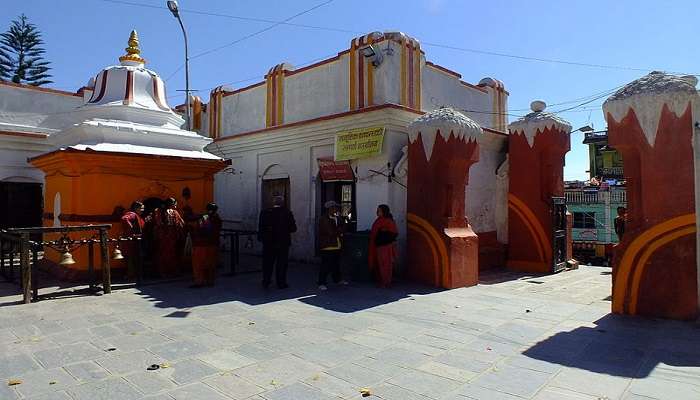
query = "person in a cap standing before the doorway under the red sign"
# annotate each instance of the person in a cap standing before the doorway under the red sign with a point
(330, 233)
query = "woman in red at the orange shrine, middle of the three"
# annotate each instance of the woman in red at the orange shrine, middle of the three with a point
(169, 236)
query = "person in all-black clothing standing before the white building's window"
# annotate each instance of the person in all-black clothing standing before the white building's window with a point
(275, 227)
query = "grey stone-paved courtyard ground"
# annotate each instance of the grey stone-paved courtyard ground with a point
(513, 337)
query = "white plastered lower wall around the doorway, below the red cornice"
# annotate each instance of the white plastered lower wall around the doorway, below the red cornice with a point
(295, 150)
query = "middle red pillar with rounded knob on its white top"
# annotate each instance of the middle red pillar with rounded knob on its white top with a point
(536, 148)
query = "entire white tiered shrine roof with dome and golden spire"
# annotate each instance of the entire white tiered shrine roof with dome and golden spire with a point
(127, 112)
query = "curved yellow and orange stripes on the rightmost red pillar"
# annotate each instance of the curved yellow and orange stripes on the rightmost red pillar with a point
(633, 262)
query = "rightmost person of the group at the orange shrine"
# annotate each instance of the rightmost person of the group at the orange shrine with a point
(205, 247)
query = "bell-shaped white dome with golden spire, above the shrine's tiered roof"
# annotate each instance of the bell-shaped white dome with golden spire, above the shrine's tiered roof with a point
(130, 92)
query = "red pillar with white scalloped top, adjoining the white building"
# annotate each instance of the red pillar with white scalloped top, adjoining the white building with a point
(443, 250)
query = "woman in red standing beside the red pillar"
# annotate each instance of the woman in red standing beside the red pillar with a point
(382, 246)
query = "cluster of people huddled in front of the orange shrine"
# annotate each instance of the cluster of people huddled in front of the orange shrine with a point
(170, 242)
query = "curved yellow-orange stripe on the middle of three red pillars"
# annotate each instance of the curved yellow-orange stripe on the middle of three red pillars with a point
(537, 233)
